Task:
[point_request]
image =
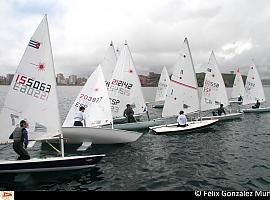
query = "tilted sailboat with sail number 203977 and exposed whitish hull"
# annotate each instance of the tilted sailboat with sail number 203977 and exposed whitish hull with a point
(94, 97)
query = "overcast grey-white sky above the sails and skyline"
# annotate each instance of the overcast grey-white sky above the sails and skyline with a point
(81, 30)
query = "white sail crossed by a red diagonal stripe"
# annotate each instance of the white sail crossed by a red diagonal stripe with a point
(183, 88)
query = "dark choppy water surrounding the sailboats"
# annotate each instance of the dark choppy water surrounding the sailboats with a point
(233, 155)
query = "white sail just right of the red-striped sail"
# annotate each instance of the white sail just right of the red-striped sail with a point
(214, 91)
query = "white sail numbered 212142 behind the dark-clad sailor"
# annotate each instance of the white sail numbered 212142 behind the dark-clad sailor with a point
(125, 87)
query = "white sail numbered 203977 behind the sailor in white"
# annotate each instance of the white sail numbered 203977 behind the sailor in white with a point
(94, 97)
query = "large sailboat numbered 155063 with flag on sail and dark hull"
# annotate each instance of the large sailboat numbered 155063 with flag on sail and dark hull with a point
(32, 96)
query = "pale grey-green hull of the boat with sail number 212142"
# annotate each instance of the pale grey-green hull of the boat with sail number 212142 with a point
(139, 125)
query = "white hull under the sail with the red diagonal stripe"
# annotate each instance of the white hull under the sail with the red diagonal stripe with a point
(192, 126)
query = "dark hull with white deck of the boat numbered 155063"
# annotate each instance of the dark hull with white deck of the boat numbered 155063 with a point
(49, 164)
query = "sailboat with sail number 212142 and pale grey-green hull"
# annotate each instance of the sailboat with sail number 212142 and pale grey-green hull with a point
(125, 88)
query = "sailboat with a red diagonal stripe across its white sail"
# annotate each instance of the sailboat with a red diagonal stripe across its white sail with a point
(183, 95)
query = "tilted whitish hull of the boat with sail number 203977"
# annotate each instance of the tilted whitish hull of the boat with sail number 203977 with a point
(77, 135)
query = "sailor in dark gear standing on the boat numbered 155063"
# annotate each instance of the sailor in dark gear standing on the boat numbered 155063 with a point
(20, 137)
